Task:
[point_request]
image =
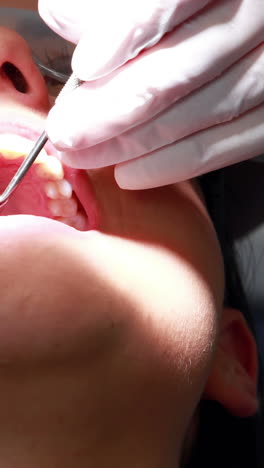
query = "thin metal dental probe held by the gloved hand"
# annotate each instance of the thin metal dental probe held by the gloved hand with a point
(72, 83)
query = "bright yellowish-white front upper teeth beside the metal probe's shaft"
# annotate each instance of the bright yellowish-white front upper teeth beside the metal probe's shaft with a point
(13, 146)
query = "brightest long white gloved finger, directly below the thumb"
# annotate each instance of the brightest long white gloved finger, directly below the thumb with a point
(184, 60)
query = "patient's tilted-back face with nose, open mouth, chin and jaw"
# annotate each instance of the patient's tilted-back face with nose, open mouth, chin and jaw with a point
(109, 309)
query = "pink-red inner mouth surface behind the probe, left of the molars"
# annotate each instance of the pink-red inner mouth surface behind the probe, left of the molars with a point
(29, 197)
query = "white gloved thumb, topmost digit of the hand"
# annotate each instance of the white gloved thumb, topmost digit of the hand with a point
(138, 26)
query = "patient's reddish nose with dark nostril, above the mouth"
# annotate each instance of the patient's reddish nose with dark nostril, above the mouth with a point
(20, 79)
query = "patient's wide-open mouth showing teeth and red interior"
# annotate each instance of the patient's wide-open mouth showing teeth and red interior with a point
(49, 189)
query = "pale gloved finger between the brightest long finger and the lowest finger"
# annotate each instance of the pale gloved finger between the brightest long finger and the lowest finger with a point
(235, 92)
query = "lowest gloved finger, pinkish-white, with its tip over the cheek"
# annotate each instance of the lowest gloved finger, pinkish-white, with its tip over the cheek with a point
(202, 152)
